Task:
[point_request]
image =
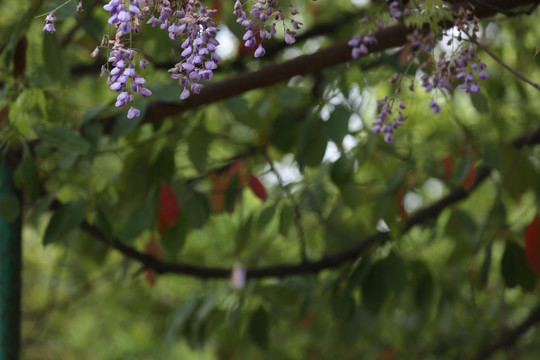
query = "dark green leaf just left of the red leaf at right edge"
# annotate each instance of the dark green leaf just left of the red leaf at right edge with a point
(515, 269)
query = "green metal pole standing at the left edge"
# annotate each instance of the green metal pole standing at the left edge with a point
(10, 268)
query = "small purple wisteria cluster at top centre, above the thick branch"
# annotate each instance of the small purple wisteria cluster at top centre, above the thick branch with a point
(256, 27)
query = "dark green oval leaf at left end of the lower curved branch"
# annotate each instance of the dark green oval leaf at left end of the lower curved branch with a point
(66, 218)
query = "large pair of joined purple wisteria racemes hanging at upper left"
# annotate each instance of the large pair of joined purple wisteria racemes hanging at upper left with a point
(189, 20)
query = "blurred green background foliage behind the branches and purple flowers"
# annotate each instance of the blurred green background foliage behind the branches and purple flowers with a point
(440, 291)
